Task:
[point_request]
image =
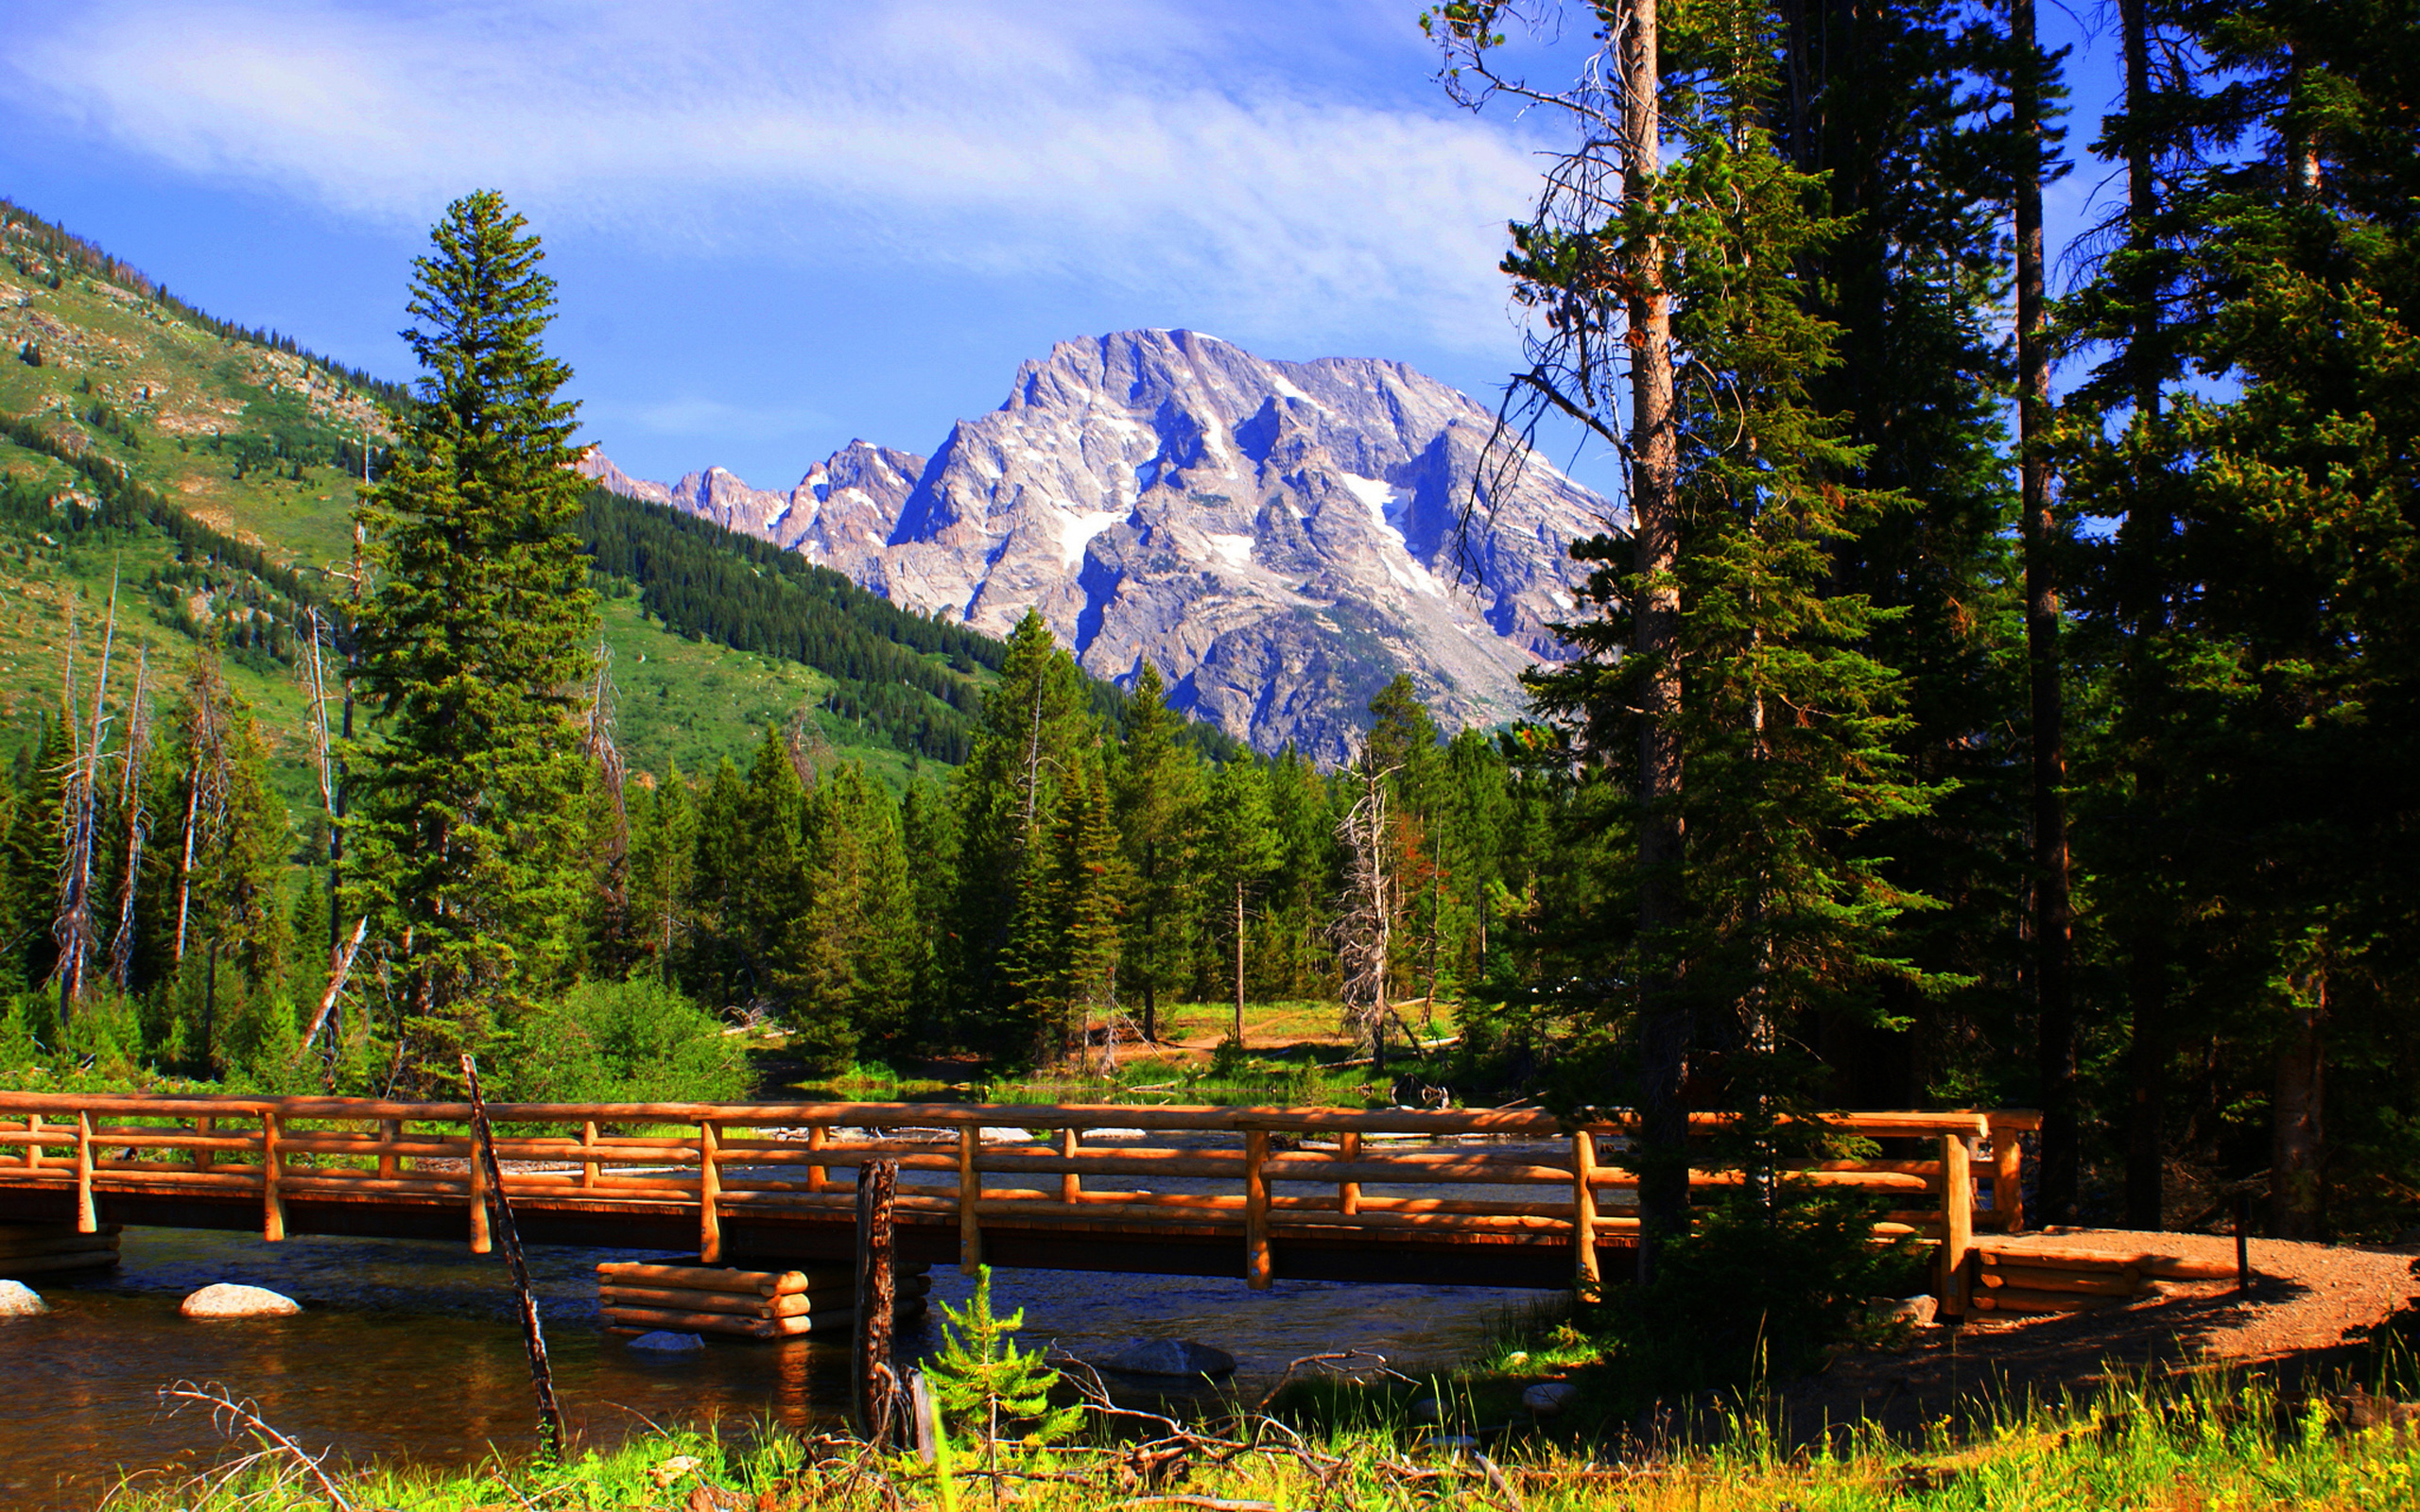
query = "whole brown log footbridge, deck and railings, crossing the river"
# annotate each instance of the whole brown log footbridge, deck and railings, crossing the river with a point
(1497, 1199)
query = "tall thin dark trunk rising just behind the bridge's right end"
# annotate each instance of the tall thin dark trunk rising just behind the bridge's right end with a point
(2053, 923)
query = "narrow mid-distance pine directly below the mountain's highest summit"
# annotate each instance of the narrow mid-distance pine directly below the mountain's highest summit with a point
(1158, 807)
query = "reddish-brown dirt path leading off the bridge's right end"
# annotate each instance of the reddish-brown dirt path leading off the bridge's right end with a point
(2307, 1310)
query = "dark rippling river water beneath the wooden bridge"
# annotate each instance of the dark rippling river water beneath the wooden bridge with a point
(410, 1351)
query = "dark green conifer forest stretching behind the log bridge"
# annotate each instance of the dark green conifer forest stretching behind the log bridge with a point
(2000, 688)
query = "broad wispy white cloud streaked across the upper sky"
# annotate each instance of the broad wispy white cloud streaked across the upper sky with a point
(1139, 144)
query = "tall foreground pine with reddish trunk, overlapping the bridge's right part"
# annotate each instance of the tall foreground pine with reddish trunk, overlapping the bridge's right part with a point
(1727, 652)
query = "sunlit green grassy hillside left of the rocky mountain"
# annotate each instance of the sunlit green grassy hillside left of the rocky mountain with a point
(260, 449)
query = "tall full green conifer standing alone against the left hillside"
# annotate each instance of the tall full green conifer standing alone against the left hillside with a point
(473, 654)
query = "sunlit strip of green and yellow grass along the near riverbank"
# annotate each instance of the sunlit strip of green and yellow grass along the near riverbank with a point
(2211, 1443)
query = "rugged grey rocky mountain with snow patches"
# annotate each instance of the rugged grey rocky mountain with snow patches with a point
(1279, 538)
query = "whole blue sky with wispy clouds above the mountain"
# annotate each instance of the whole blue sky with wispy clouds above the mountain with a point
(785, 226)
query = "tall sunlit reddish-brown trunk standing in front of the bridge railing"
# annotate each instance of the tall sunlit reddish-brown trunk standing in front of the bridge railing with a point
(1664, 1017)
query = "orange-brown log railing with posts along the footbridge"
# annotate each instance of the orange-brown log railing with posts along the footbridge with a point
(1260, 1175)
